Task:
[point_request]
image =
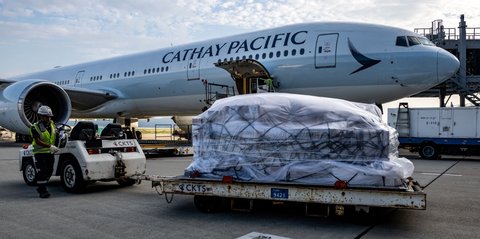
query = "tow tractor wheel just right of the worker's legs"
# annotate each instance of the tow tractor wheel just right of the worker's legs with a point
(71, 177)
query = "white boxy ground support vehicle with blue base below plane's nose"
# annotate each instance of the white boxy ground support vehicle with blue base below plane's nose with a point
(435, 131)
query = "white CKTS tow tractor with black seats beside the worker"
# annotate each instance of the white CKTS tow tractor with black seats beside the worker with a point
(84, 157)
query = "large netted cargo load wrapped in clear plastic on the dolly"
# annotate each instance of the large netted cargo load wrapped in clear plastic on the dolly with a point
(276, 137)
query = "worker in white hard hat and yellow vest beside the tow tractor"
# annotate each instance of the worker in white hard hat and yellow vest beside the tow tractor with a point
(43, 133)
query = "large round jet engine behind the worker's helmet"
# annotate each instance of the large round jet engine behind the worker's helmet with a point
(20, 101)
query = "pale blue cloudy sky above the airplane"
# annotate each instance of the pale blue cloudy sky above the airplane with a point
(41, 34)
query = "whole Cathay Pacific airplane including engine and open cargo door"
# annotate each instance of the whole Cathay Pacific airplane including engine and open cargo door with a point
(360, 62)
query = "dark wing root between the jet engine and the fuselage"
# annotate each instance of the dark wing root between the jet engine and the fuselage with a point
(84, 99)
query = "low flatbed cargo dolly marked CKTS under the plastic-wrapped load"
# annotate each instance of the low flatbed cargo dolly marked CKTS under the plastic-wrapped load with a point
(209, 194)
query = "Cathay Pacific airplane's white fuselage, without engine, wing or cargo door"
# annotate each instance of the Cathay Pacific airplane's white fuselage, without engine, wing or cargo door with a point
(313, 59)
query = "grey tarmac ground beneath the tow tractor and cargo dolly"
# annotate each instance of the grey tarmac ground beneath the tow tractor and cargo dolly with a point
(452, 185)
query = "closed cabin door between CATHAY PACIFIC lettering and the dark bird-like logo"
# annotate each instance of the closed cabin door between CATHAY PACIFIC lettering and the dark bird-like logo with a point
(326, 50)
